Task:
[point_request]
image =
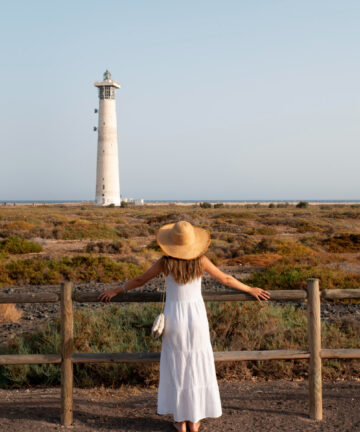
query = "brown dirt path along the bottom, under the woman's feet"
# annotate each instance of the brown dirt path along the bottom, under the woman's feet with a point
(261, 406)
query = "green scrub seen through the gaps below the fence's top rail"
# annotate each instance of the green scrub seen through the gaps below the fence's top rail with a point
(233, 326)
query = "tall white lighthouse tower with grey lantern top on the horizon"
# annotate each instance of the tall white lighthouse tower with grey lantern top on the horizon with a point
(107, 173)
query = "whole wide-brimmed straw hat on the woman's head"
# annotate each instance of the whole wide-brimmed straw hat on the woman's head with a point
(183, 240)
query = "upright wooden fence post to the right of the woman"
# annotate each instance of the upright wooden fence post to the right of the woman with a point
(314, 337)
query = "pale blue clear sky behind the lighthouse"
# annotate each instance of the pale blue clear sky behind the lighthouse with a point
(220, 100)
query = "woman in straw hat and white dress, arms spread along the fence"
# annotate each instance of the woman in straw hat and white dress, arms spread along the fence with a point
(188, 388)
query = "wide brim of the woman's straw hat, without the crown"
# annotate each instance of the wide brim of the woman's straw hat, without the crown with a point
(197, 248)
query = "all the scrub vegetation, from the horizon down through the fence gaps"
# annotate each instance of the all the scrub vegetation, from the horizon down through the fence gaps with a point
(273, 247)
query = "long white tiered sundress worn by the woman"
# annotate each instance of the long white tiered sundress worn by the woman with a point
(188, 387)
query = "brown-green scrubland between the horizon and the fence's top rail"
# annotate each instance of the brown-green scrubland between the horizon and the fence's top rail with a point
(281, 244)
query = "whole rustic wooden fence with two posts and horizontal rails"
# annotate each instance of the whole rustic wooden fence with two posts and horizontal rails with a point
(67, 358)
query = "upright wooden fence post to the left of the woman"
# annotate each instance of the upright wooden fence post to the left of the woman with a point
(66, 352)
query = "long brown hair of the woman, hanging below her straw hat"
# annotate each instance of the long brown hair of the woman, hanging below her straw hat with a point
(183, 271)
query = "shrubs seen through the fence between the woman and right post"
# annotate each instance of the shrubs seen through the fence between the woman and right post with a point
(250, 326)
